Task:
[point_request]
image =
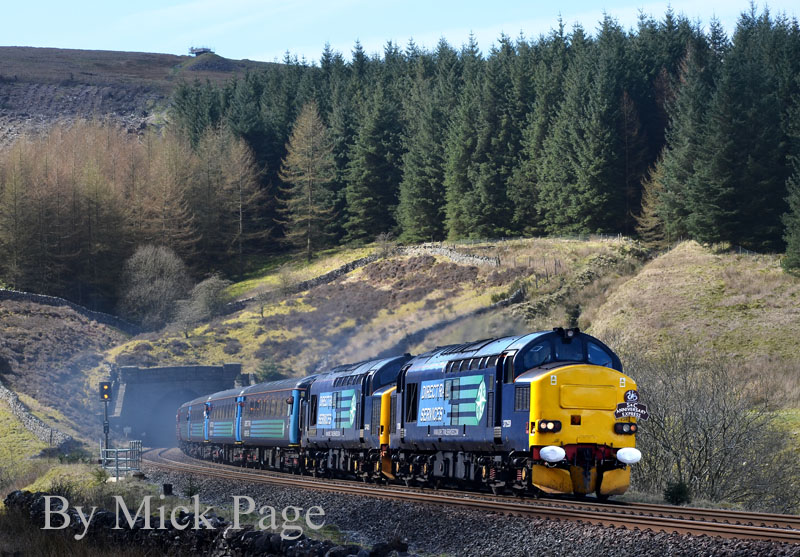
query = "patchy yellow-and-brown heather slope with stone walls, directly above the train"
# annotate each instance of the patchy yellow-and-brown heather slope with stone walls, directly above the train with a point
(401, 303)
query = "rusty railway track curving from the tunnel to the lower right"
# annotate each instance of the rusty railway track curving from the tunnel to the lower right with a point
(632, 516)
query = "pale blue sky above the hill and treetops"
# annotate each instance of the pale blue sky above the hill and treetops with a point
(265, 29)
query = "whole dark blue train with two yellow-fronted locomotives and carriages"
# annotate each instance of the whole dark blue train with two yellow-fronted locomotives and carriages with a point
(549, 412)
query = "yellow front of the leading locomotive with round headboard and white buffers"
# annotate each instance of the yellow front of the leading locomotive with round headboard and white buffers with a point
(582, 429)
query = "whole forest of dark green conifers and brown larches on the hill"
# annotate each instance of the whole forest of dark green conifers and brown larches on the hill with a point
(674, 129)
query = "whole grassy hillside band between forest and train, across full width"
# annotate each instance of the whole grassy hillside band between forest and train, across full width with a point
(737, 305)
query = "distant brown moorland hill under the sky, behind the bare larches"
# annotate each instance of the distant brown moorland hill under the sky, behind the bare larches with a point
(42, 86)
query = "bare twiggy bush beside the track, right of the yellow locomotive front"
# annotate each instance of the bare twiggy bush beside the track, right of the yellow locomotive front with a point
(712, 431)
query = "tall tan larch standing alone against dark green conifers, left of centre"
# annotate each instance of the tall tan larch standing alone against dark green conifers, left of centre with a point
(308, 169)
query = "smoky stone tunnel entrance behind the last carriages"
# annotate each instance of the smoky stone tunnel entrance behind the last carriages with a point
(145, 400)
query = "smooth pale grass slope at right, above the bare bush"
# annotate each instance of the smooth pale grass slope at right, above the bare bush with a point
(743, 307)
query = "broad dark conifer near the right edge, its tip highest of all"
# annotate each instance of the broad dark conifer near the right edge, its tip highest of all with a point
(739, 187)
